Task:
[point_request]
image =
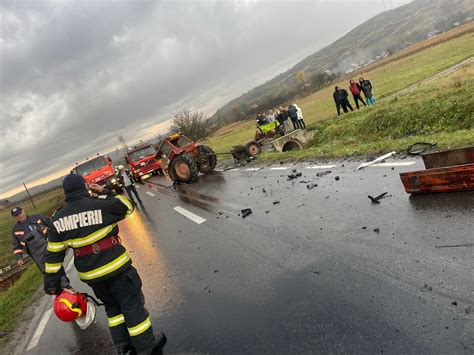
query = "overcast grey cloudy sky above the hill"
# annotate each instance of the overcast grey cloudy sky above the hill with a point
(74, 74)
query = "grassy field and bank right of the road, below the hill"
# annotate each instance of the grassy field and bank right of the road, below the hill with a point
(439, 111)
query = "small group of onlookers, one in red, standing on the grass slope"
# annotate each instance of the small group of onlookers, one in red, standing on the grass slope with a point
(341, 96)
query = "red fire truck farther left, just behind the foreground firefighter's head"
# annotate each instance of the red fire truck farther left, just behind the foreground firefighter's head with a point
(99, 170)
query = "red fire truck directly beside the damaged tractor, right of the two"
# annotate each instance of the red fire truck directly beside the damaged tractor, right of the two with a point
(142, 161)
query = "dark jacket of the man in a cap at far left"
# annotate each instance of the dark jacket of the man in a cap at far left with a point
(31, 237)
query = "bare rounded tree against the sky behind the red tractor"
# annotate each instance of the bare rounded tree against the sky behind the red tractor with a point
(192, 124)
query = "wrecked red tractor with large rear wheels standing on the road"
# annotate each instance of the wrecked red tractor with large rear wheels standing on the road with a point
(185, 158)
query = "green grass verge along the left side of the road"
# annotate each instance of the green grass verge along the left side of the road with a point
(16, 298)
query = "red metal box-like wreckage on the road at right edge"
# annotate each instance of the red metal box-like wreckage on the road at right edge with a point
(447, 171)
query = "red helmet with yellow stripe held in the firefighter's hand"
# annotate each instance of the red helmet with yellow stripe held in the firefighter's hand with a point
(69, 305)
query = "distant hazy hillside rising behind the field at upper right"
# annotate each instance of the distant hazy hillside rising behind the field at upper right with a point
(380, 36)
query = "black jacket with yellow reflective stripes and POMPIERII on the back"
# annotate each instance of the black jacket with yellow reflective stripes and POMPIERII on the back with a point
(85, 221)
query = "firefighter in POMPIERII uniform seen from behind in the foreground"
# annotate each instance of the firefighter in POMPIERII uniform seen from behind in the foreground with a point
(89, 226)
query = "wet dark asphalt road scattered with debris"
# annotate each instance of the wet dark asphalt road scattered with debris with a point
(322, 271)
